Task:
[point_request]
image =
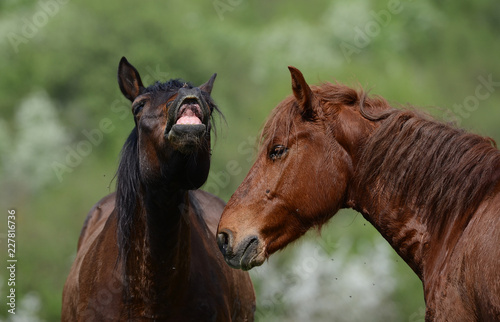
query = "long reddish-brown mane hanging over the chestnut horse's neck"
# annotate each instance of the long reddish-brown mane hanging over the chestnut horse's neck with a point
(441, 171)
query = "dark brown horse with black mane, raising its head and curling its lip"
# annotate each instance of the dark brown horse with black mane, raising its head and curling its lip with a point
(148, 251)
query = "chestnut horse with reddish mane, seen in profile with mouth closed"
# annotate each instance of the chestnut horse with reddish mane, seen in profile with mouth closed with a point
(433, 191)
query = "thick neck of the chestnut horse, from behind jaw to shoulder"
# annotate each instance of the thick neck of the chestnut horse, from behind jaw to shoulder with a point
(392, 188)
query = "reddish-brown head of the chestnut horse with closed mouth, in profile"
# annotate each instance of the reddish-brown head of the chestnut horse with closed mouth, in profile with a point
(301, 175)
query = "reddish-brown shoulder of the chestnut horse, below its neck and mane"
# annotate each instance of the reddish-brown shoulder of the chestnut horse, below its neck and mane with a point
(471, 276)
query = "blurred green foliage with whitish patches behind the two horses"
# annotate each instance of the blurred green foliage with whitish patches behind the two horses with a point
(58, 61)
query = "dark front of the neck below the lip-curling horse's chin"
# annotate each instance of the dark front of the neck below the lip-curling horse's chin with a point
(159, 261)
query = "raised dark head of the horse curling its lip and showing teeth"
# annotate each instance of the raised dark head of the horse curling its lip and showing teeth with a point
(173, 122)
